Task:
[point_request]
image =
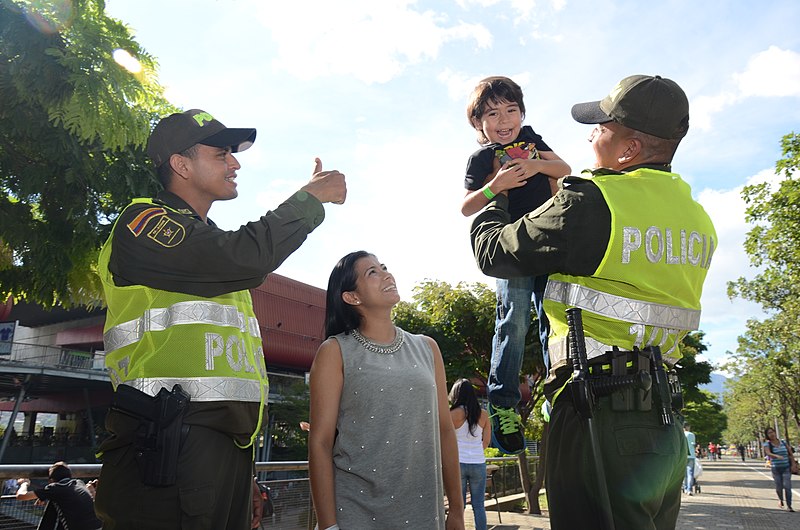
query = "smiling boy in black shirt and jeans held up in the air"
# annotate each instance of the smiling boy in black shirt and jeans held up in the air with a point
(517, 161)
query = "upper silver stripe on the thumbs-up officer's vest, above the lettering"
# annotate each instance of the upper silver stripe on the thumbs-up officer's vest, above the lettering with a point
(159, 319)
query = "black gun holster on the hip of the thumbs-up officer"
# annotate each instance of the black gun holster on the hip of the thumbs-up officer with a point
(161, 431)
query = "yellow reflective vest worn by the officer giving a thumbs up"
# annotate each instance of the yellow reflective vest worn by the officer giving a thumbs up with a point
(210, 346)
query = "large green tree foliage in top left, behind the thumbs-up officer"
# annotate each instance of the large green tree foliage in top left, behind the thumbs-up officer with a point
(73, 126)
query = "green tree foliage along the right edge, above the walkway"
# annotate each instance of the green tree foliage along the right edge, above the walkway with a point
(771, 347)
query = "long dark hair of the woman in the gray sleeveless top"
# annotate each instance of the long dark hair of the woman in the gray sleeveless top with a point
(340, 316)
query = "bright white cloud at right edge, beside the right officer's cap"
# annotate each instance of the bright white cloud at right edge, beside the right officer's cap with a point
(771, 73)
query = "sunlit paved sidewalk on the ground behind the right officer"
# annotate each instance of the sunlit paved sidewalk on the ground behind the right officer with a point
(734, 495)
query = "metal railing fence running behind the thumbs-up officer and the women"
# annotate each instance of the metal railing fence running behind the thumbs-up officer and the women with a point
(288, 505)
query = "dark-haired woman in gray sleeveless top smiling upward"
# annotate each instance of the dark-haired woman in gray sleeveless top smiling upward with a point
(382, 453)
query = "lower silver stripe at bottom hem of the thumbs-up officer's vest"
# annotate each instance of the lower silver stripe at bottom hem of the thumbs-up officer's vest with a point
(203, 388)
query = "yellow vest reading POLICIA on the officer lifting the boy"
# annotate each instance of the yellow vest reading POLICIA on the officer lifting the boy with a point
(646, 290)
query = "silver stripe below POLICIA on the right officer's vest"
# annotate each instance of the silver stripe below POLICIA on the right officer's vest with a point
(620, 308)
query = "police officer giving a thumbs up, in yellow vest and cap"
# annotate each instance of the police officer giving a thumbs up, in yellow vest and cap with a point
(183, 346)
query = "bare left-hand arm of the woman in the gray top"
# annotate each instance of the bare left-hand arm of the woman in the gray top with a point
(325, 384)
